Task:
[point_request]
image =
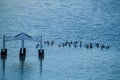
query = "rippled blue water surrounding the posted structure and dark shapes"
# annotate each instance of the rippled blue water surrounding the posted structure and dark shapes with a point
(62, 20)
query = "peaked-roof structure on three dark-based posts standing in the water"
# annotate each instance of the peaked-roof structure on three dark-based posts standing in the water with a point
(22, 37)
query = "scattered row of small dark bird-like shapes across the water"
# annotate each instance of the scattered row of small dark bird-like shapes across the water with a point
(76, 44)
